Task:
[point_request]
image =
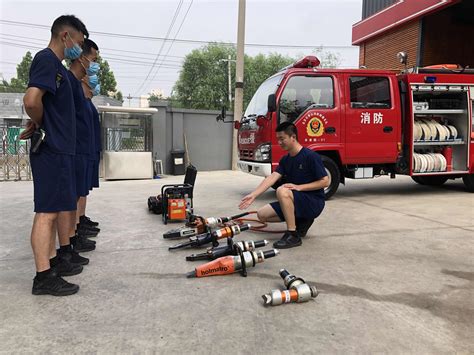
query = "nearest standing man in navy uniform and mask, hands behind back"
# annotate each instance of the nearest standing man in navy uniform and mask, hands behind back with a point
(49, 103)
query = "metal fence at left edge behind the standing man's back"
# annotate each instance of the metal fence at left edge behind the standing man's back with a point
(14, 155)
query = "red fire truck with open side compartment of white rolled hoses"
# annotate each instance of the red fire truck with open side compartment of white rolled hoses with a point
(366, 123)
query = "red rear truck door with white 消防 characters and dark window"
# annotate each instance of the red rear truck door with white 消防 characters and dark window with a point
(373, 119)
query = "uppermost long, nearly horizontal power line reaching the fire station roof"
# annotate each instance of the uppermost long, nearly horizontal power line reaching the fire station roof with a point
(190, 41)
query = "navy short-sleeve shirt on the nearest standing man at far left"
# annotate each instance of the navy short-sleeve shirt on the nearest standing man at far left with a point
(48, 73)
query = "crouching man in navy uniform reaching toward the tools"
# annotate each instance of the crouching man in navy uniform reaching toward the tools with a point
(301, 199)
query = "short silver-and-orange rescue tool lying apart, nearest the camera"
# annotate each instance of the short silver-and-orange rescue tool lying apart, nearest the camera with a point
(297, 291)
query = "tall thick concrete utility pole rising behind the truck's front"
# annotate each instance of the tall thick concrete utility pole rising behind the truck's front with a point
(239, 79)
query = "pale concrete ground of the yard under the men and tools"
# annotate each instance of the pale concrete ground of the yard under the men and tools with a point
(393, 262)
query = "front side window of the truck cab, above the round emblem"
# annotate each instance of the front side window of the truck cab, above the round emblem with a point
(303, 92)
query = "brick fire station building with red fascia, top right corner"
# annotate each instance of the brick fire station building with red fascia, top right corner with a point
(429, 31)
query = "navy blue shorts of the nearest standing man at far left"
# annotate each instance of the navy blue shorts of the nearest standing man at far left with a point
(54, 181)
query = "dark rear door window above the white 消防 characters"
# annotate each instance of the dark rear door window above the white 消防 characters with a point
(370, 92)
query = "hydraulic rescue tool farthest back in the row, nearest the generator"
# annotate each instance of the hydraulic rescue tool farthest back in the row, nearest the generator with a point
(199, 225)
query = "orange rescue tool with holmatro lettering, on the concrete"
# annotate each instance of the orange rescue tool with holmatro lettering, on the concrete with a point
(230, 264)
